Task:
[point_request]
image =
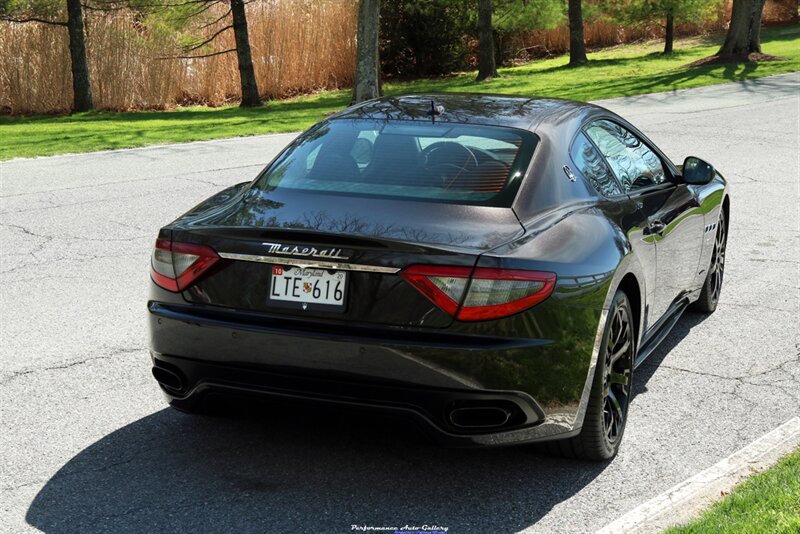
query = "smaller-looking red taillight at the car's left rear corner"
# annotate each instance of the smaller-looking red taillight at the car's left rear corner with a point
(175, 266)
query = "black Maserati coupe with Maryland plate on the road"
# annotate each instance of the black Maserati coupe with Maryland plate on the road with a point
(495, 267)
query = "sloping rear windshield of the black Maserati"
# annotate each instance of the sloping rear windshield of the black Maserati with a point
(435, 162)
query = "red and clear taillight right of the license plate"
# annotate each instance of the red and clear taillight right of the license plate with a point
(490, 293)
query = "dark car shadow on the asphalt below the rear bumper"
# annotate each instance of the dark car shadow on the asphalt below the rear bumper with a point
(290, 468)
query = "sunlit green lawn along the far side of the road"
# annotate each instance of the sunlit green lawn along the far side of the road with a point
(618, 71)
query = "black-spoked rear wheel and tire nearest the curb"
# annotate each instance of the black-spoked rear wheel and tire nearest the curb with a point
(607, 410)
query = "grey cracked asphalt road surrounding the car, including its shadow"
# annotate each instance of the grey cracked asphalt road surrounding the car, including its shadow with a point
(87, 444)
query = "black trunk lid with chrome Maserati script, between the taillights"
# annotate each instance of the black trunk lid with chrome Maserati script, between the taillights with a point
(373, 239)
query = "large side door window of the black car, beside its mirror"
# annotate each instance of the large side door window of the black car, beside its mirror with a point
(635, 165)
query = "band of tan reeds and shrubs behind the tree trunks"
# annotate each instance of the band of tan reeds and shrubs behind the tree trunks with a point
(302, 46)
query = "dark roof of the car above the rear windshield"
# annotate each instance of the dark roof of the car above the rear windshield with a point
(471, 108)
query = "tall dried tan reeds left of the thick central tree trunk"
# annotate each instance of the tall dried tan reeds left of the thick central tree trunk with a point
(298, 46)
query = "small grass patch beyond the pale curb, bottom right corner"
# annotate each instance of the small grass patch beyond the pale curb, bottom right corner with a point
(767, 503)
